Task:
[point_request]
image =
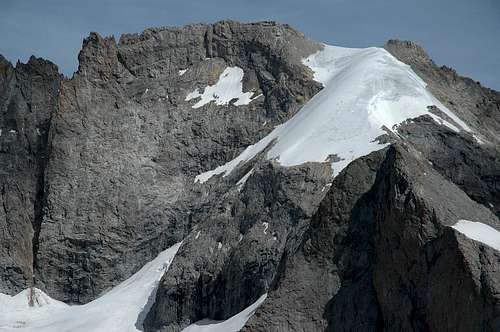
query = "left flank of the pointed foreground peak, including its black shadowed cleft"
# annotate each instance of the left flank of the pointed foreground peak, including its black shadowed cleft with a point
(326, 284)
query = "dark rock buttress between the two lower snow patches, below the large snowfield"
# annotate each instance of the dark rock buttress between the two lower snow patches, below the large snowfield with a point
(237, 252)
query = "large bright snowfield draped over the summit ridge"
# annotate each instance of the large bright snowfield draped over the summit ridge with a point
(364, 91)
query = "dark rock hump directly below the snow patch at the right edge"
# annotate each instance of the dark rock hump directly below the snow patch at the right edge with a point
(463, 283)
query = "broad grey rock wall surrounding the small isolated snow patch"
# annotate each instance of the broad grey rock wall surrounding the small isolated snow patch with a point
(127, 143)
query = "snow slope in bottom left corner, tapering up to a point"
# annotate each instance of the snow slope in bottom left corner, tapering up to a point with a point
(122, 309)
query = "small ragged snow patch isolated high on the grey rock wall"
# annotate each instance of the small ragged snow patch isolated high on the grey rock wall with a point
(228, 87)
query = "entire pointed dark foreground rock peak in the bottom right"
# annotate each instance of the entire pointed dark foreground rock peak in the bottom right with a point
(373, 258)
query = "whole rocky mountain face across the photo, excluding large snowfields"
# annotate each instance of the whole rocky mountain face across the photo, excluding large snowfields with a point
(98, 176)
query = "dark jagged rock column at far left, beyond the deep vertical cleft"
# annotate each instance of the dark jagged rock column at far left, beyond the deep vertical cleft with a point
(28, 98)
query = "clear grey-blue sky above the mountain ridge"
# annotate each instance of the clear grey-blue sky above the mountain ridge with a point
(463, 34)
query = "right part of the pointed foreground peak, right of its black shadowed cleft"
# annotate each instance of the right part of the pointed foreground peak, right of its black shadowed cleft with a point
(415, 291)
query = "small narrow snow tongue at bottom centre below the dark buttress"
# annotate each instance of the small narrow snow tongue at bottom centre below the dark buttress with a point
(232, 324)
